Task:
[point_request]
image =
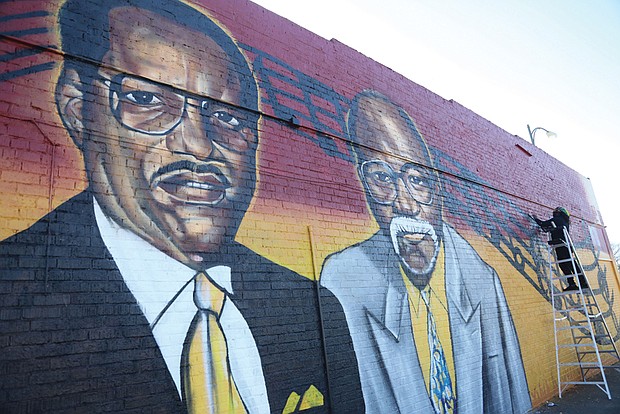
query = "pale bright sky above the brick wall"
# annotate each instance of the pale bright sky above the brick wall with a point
(547, 63)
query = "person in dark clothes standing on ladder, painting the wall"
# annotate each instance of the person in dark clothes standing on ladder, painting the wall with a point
(555, 226)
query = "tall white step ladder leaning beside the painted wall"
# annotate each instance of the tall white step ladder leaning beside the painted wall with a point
(578, 323)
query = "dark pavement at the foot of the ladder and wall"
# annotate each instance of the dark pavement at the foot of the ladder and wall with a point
(580, 399)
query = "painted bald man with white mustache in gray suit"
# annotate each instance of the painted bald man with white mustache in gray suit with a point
(429, 320)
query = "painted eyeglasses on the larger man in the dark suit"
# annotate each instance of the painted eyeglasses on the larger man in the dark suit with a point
(155, 109)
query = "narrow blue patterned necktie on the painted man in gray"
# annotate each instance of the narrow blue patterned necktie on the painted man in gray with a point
(440, 387)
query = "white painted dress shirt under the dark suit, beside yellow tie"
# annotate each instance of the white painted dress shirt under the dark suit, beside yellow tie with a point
(154, 278)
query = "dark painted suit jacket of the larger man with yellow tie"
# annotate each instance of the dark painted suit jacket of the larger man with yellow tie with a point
(75, 340)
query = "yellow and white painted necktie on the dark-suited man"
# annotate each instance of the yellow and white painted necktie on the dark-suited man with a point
(206, 380)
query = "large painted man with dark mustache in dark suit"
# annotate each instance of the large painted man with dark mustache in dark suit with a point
(105, 290)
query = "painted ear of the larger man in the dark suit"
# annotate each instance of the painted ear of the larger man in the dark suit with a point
(69, 99)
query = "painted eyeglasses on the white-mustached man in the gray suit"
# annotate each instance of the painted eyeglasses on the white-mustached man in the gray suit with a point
(381, 181)
